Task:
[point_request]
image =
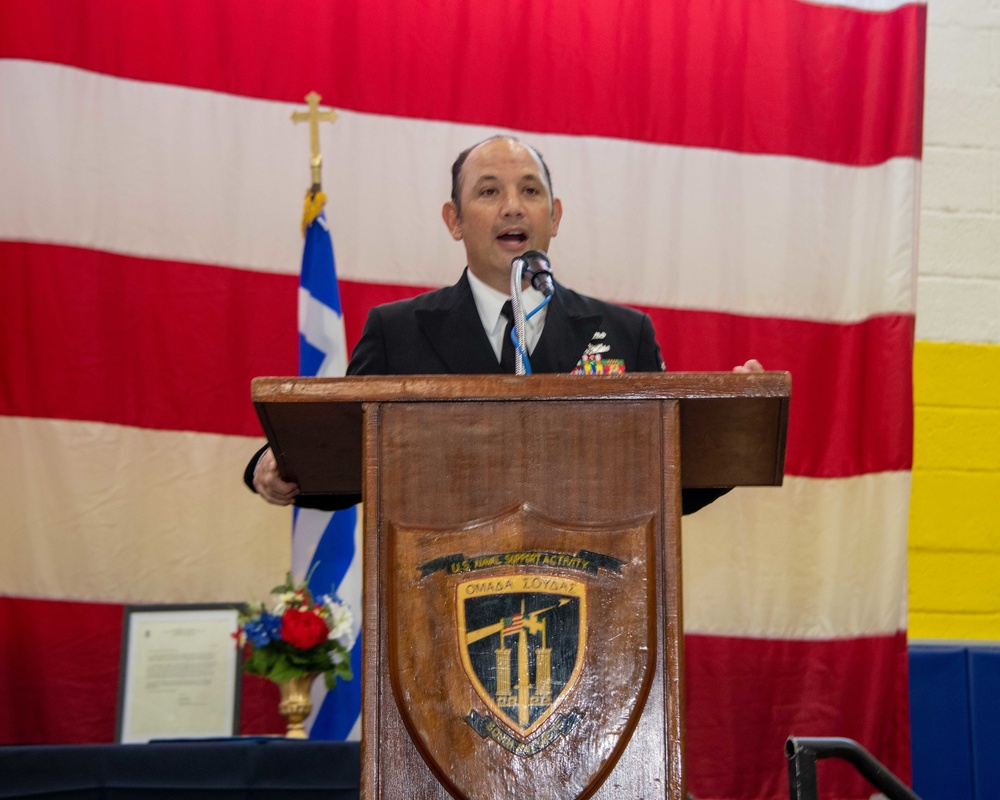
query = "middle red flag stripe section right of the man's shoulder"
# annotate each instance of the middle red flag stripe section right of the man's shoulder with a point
(851, 410)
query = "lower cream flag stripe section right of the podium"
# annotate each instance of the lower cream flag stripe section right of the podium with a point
(798, 562)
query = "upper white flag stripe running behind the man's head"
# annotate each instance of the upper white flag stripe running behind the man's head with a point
(142, 178)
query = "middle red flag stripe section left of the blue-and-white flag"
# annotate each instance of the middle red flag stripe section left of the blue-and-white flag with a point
(88, 335)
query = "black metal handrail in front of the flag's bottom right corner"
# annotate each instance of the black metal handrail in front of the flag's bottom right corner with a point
(803, 752)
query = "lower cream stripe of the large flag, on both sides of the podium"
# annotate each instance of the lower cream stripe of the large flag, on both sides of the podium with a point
(179, 510)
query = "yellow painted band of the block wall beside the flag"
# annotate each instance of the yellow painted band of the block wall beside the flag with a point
(954, 545)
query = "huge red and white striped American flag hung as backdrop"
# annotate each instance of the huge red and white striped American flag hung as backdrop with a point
(746, 171)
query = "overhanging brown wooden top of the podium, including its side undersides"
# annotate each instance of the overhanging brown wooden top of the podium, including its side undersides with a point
(732, 425)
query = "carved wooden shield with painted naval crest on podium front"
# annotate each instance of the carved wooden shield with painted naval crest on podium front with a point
(522, 650)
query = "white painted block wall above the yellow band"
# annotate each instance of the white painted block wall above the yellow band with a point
(958, 298)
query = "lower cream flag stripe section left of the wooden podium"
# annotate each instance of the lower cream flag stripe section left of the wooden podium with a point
(119, 514)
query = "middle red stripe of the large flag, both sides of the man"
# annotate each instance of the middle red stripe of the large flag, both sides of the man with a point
(122, 344)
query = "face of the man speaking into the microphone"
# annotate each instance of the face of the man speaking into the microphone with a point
(506, 209)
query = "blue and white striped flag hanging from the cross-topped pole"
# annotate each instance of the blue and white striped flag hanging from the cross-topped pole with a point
(327, 543)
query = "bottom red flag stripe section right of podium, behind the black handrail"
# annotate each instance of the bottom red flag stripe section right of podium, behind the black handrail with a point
(740, 710)
